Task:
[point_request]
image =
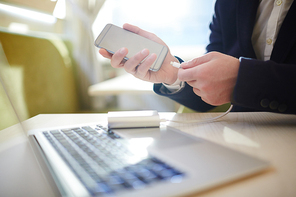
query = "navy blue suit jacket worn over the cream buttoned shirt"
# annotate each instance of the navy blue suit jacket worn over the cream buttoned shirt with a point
(261, 85)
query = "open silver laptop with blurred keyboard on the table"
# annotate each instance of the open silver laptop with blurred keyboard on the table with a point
(92, 160)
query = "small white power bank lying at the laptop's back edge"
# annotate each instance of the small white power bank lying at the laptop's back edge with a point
(133, 119)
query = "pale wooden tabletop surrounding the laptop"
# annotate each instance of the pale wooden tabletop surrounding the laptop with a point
(268, 136)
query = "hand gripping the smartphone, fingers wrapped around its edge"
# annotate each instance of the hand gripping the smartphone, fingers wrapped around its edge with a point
(166, 74)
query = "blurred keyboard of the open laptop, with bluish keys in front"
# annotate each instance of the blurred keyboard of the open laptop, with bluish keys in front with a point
(103, 162)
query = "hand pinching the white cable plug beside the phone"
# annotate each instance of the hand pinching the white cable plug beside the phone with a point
(212, 76)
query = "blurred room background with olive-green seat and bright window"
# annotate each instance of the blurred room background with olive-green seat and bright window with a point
(55, 68)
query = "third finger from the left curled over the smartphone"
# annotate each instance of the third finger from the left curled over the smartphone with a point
(133, 62)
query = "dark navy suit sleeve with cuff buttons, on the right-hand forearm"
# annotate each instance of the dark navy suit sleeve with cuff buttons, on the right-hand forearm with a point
(266, 86)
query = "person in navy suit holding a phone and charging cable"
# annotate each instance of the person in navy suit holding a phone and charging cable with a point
(250, 60)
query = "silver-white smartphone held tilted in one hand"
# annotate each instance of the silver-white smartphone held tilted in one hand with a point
(113, 38)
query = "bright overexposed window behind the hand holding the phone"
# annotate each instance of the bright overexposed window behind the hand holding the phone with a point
(183, 25)
